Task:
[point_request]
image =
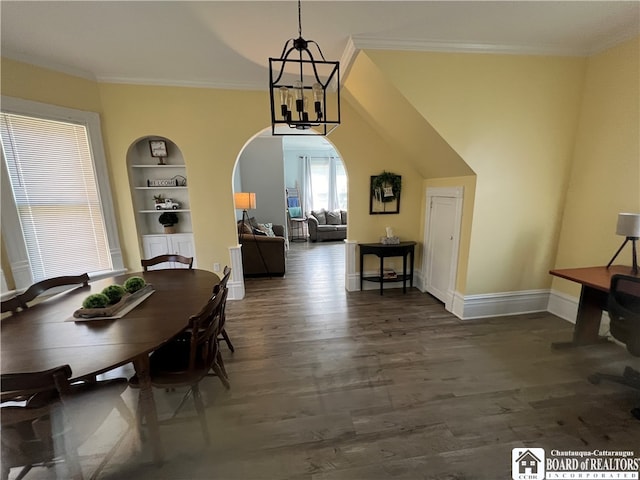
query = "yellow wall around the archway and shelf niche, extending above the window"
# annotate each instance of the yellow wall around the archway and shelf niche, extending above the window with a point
(211, 127)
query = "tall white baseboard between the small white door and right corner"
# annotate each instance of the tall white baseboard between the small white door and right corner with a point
(499, 304)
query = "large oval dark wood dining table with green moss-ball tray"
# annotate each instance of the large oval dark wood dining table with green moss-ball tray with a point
(42, 336)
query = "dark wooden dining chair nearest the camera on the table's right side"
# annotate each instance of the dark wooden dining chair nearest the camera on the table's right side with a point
(187, 358)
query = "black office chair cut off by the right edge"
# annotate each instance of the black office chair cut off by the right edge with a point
(623, 305)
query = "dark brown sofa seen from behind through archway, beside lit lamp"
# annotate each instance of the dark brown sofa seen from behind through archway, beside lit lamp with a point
(263, 252)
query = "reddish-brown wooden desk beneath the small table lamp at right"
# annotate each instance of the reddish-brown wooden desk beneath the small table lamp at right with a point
(595, 283)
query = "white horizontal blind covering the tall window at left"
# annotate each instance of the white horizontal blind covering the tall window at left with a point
(52, 176)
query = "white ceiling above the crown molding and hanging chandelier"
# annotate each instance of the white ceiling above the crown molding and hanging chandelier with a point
(227, 43)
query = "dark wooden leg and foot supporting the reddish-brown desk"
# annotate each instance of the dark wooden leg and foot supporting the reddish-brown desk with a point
(585, 332)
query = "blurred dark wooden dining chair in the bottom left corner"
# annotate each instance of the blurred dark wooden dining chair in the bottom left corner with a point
(45, 419)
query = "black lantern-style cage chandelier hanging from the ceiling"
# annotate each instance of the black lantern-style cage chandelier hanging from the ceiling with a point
(304, 91)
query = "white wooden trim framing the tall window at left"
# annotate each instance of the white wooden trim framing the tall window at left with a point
(11, 229)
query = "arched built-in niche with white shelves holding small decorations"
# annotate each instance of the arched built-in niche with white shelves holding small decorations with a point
(151, 177)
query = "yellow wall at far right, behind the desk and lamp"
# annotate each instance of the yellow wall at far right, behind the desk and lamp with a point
(605, 177)
